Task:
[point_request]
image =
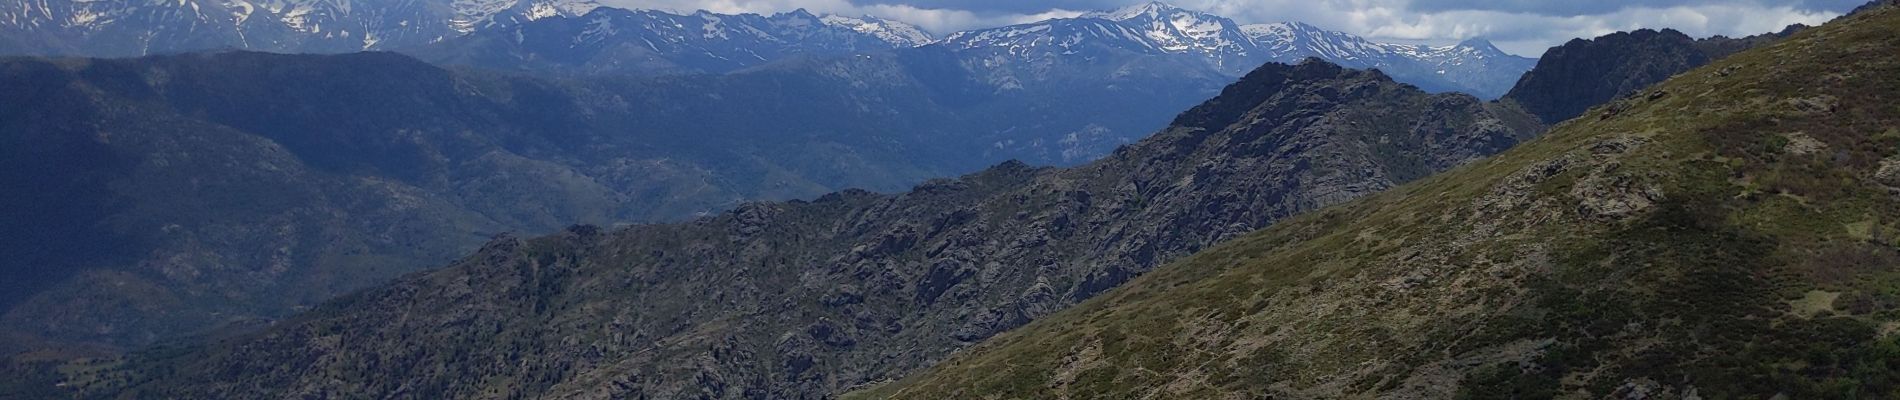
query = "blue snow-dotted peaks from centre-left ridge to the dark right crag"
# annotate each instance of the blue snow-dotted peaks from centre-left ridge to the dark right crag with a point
(656, 43)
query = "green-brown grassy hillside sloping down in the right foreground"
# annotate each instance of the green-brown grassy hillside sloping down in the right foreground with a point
(1728, 234)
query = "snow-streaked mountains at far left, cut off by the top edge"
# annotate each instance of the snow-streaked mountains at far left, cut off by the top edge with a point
(142, 27)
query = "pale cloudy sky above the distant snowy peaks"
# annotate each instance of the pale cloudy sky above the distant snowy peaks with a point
(1525, 27)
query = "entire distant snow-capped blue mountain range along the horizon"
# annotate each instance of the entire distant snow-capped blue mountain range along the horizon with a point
(584, 37)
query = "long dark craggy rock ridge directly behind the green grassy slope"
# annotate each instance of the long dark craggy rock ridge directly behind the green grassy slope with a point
(803, 300)
